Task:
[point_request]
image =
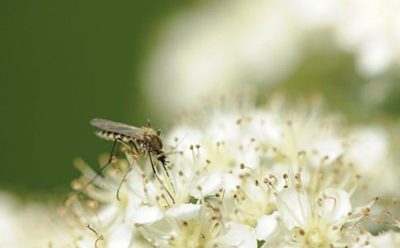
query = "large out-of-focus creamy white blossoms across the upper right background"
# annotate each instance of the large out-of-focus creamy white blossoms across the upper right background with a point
(216, 47)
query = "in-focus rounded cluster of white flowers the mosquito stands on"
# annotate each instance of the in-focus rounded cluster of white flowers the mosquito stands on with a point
(237, 177)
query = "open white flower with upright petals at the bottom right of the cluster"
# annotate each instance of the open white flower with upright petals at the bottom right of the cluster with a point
(319, 220)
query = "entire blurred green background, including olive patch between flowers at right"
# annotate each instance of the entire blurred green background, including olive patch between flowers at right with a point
(64, 63)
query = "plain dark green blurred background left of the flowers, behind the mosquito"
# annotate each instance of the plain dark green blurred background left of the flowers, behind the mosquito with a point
(63, 63)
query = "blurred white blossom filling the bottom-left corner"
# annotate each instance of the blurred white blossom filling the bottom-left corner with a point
(34, 224)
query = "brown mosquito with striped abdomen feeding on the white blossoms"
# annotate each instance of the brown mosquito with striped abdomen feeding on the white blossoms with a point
(143, 141)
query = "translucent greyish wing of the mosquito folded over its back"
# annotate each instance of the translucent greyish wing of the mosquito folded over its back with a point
(116, 127)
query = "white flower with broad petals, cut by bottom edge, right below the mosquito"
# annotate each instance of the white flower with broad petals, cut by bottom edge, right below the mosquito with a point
(194, 226)
